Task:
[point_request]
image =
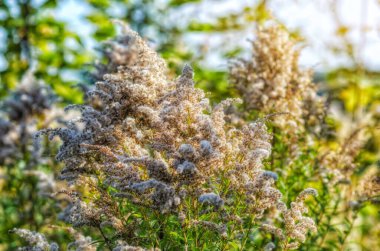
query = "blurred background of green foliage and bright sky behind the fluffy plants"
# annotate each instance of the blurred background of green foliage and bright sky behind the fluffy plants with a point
(58, 41)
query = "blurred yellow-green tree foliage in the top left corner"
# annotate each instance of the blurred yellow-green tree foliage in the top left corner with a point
(35, 39)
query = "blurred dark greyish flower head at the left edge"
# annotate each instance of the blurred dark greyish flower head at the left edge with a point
(26, 110)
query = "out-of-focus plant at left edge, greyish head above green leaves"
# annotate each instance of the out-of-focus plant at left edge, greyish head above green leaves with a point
(27, 175)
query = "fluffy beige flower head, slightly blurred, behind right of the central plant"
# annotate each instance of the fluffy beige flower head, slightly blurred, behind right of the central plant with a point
(272, 82)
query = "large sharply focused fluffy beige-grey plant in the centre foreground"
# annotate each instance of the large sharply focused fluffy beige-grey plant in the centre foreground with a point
(155, 165)
